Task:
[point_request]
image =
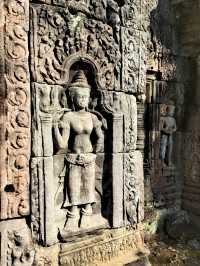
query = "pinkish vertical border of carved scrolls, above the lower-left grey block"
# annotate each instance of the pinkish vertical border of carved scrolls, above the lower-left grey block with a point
(15, 122)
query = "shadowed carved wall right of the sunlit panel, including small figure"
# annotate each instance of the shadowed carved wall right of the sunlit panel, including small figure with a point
(173, 84)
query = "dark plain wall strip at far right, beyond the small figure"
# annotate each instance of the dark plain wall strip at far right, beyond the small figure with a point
(188, 22)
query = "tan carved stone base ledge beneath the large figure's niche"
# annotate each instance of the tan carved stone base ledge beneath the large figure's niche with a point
(107, 245)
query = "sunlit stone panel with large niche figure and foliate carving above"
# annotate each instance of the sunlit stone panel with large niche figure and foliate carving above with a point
(66, 42)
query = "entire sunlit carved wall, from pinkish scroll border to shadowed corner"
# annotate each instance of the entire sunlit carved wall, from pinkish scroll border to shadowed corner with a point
(73, 84)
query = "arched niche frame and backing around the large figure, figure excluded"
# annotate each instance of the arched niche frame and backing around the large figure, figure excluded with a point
(49, 168)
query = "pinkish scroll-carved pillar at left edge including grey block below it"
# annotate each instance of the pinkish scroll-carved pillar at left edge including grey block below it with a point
(15, 118)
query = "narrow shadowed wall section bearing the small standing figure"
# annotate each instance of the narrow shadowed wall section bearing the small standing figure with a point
(166, 72)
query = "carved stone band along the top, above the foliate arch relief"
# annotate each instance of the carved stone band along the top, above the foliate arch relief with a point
(113, 12)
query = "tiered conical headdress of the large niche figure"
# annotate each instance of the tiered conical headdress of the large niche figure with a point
(79, 81)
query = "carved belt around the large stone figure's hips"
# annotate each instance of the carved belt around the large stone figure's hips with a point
(83, 159)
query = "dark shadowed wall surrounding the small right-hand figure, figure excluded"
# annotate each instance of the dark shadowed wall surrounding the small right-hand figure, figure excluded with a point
(174, 51)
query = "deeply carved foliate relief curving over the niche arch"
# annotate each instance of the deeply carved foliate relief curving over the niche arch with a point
(61, 34)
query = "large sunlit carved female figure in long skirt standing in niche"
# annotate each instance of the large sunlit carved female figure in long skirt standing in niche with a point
(74, 136)
